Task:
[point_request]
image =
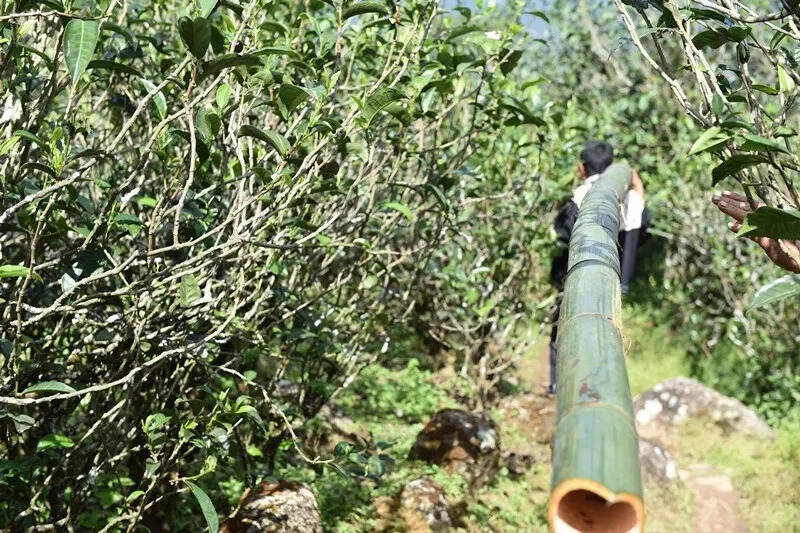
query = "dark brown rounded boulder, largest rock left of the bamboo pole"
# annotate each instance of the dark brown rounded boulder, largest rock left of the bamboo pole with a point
(460, 442)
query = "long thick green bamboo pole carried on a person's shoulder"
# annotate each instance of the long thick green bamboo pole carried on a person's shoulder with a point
(596, 484)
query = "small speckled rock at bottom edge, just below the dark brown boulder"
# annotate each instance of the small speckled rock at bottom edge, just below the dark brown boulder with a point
(423, 506)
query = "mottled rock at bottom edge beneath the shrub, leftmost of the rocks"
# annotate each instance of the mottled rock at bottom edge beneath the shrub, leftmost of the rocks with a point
(276, 507)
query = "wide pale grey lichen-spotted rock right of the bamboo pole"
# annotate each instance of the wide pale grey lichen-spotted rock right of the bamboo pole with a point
(672, 402)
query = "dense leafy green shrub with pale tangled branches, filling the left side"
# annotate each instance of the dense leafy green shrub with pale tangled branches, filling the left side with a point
(214, 215)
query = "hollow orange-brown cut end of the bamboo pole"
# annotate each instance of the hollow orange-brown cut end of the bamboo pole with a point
(585, 506)
